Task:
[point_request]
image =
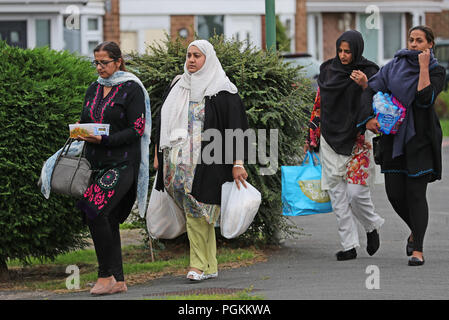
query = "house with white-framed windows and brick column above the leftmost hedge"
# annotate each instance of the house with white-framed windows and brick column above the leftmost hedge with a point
(75, 25)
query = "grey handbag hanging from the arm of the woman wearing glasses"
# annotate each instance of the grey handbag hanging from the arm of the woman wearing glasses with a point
(71, 174)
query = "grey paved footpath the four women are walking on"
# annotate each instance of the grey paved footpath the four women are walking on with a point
(306, 268)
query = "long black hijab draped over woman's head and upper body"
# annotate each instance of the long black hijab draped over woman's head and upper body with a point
(340, 95)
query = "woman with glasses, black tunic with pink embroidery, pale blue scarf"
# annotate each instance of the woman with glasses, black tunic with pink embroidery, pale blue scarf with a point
(120, 160)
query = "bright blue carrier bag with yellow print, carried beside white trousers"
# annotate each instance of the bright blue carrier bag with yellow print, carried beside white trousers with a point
(301, 188)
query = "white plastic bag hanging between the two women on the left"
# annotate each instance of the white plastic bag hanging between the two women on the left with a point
(165, 220)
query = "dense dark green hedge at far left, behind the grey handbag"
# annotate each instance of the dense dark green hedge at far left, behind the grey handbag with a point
(42, 92)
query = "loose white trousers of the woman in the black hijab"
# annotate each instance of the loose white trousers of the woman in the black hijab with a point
(351, 203)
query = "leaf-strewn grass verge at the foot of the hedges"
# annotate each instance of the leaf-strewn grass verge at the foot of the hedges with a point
(137, 264)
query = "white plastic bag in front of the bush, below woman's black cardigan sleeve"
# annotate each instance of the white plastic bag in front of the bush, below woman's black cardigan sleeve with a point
(238, 208)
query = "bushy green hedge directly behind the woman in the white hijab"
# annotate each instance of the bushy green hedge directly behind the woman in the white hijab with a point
(274, 96)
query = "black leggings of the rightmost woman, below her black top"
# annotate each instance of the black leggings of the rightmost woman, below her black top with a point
(408, 198)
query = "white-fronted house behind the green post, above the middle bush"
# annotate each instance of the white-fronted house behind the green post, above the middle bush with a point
(143, 22)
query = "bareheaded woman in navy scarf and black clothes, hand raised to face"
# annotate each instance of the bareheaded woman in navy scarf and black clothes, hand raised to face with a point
(412, 158)
